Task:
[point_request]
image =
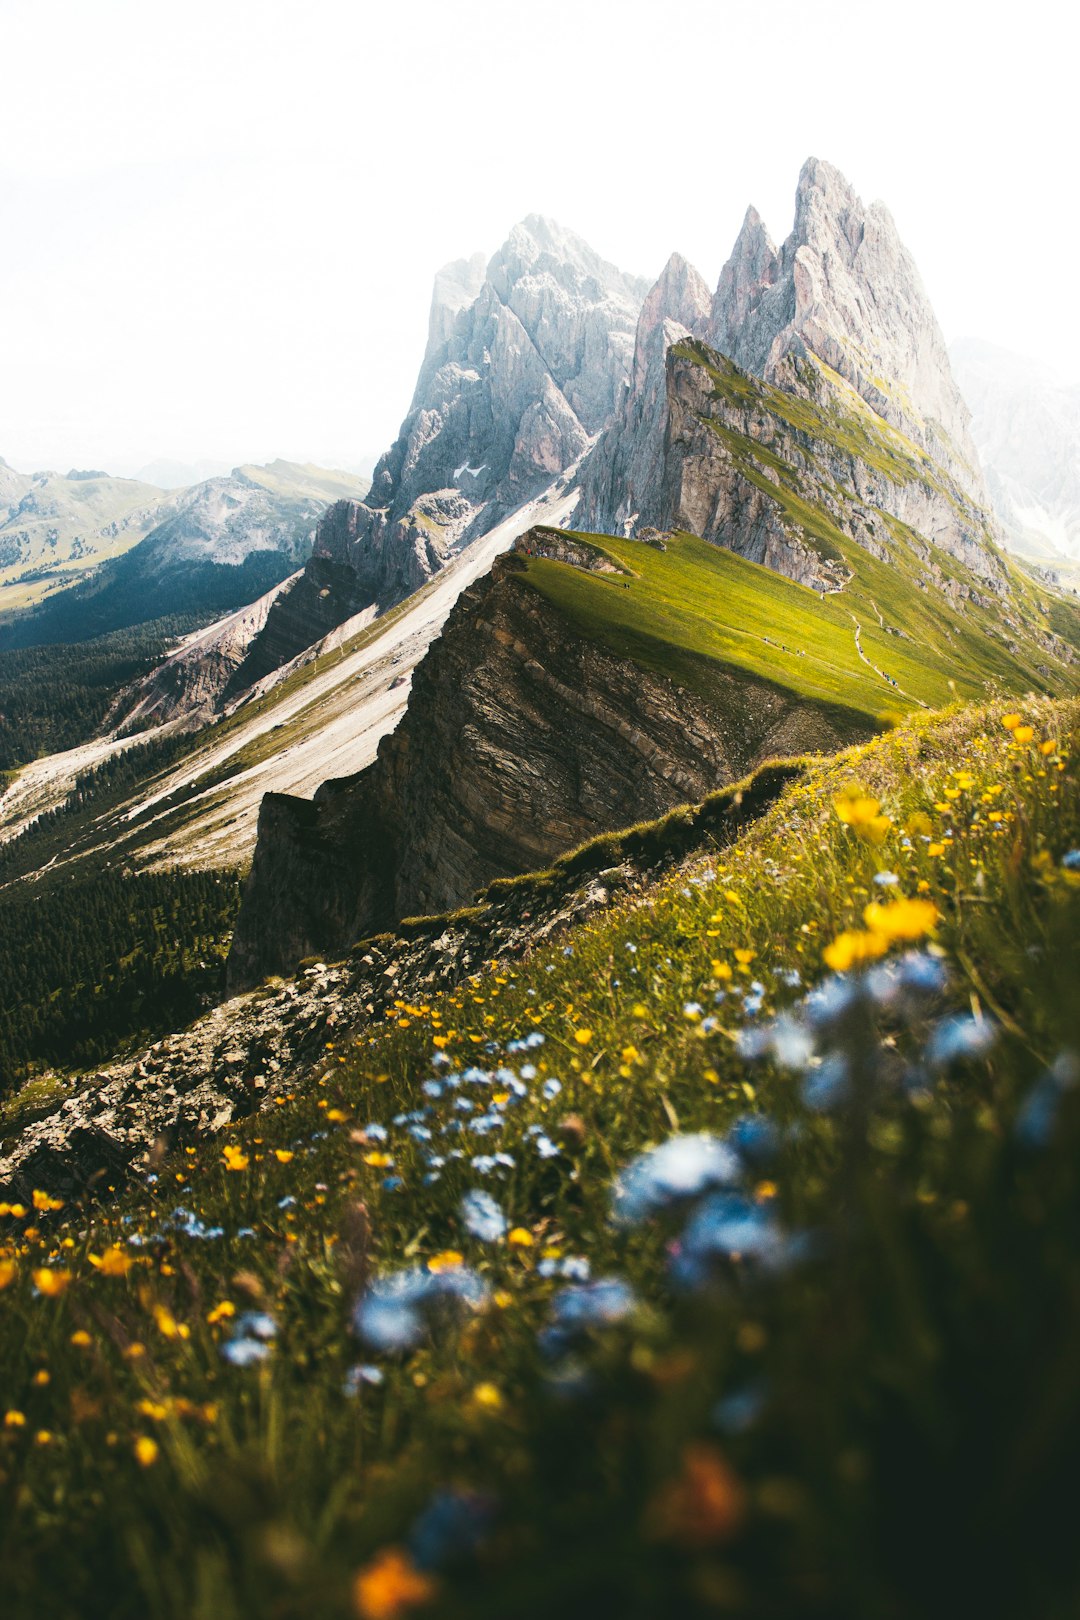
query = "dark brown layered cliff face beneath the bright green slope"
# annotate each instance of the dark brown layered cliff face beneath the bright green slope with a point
(521, 741)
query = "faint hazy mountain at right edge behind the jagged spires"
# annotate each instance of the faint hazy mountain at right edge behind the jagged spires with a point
(1027, 430)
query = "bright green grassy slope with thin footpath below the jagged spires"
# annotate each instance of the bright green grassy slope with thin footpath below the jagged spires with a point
(702, 600)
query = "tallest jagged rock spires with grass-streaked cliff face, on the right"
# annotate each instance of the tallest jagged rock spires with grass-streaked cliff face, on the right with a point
(823, 411)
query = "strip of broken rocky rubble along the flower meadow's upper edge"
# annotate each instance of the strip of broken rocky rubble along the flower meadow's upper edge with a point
(252, 1051)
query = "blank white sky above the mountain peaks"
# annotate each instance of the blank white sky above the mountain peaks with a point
(219, 220)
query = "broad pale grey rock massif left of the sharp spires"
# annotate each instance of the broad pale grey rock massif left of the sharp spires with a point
(524, 365)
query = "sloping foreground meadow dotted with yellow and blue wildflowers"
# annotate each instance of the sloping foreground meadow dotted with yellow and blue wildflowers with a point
(716, 1260)
